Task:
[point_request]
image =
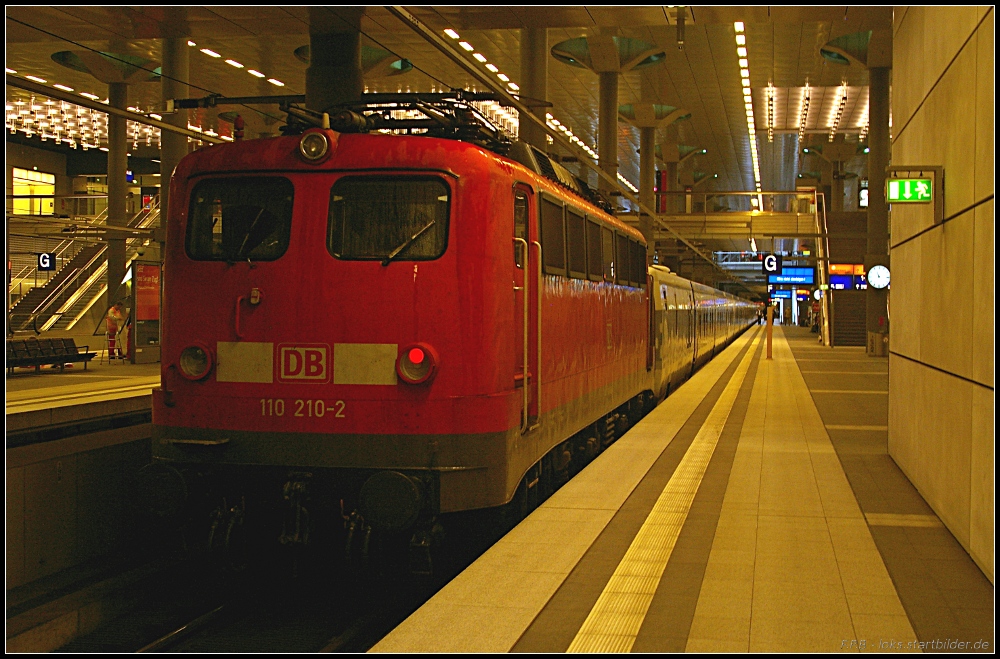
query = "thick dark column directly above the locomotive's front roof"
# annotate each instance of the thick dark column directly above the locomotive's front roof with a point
(334, 75)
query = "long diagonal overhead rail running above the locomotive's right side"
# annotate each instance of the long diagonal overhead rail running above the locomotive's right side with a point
(525, 113)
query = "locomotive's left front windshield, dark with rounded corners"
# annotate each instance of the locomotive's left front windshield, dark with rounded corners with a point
(239, 219)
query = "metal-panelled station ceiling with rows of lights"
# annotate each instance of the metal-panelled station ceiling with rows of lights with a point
(783, 50)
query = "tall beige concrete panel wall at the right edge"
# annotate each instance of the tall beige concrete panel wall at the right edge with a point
(941, 345)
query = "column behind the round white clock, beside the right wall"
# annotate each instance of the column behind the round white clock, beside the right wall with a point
(878, 211)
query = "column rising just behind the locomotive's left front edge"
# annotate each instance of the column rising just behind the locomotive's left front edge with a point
(173, 147)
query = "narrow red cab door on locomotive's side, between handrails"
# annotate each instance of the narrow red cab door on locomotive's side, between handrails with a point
(527, 275)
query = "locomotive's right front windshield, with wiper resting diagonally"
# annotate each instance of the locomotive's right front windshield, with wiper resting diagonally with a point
(388, 218)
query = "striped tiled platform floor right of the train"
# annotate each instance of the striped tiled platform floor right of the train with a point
(755, 510)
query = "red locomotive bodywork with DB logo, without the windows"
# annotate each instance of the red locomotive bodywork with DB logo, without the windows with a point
(303, 347)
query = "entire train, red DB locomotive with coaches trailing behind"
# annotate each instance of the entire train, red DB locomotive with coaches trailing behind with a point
(387, 328)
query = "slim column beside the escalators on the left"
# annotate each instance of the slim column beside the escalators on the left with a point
(117, 189)
